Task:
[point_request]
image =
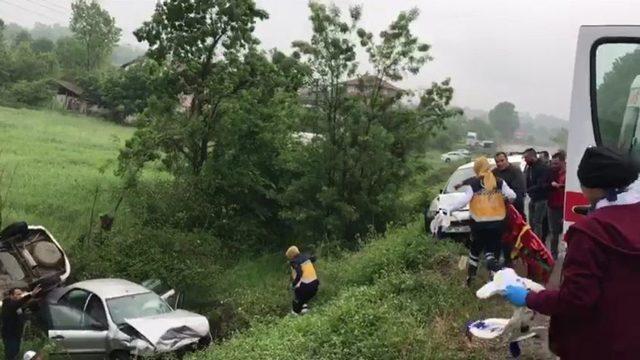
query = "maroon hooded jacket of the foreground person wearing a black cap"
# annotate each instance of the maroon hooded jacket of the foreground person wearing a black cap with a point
(596, 312)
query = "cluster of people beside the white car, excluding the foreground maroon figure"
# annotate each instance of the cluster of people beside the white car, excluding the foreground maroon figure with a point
(543, 181)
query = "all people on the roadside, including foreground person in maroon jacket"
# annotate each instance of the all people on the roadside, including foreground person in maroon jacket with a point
(594, 312)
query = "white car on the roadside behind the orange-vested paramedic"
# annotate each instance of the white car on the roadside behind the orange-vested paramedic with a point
(460, 220)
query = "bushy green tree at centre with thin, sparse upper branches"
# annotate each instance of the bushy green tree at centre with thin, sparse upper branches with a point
(349, 181)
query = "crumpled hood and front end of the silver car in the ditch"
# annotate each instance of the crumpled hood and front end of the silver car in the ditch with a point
(168, 332)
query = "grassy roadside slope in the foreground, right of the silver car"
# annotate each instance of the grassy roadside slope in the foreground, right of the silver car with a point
(398, 297)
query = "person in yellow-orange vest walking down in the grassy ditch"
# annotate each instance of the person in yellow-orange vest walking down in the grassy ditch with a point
(304, 281)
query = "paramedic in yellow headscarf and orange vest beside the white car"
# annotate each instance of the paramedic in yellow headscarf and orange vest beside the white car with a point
(485, 195)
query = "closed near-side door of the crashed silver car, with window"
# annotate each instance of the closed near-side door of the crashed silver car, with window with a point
(78, 326)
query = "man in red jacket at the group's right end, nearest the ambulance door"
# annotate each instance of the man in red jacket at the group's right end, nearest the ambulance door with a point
(555, 206)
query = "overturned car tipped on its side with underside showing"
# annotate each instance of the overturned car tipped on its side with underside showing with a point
(31, 256)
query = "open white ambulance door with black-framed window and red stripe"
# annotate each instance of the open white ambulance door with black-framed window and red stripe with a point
(605, 104)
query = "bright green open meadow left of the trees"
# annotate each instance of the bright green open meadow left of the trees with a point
(52, 164)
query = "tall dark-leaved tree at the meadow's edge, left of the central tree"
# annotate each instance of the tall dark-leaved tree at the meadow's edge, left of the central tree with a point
(204, 44)
